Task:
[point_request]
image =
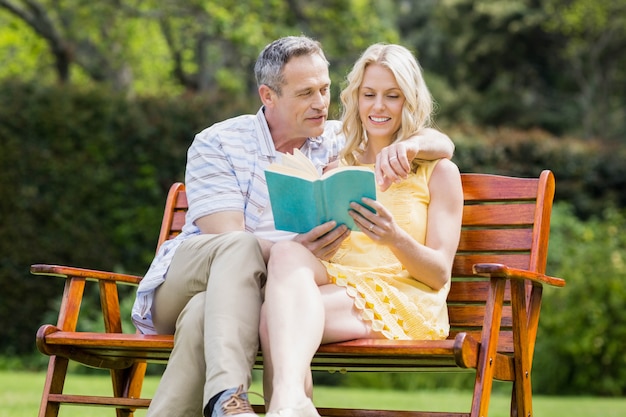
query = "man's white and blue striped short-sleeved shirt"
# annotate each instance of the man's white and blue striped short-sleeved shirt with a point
(226, 172)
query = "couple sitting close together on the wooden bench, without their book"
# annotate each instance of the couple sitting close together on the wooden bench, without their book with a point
(208, 285)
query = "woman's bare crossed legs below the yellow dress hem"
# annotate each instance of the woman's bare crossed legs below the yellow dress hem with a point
(302, 309)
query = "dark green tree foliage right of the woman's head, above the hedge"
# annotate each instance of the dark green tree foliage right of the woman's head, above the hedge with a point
(551, 64)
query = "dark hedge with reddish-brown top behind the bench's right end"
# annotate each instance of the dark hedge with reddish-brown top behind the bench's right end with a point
(590, 175)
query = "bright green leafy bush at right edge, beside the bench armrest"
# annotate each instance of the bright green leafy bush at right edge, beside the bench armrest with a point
(583, 326)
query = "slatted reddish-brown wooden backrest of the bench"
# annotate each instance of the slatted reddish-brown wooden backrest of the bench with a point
(505, 220)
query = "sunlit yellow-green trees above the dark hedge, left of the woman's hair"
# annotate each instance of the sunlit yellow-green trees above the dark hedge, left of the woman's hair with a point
(198, 45)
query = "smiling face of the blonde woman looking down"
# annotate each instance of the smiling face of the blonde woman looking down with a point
(380, 103)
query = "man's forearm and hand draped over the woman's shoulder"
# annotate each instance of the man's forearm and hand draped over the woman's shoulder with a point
(393, 163)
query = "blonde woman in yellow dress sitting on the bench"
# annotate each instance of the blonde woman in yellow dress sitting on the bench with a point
(391, 279)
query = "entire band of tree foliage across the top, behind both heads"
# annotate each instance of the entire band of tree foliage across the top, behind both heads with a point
(552, 64)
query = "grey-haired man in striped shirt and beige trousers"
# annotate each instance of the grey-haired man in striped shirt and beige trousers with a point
(205, 286)
